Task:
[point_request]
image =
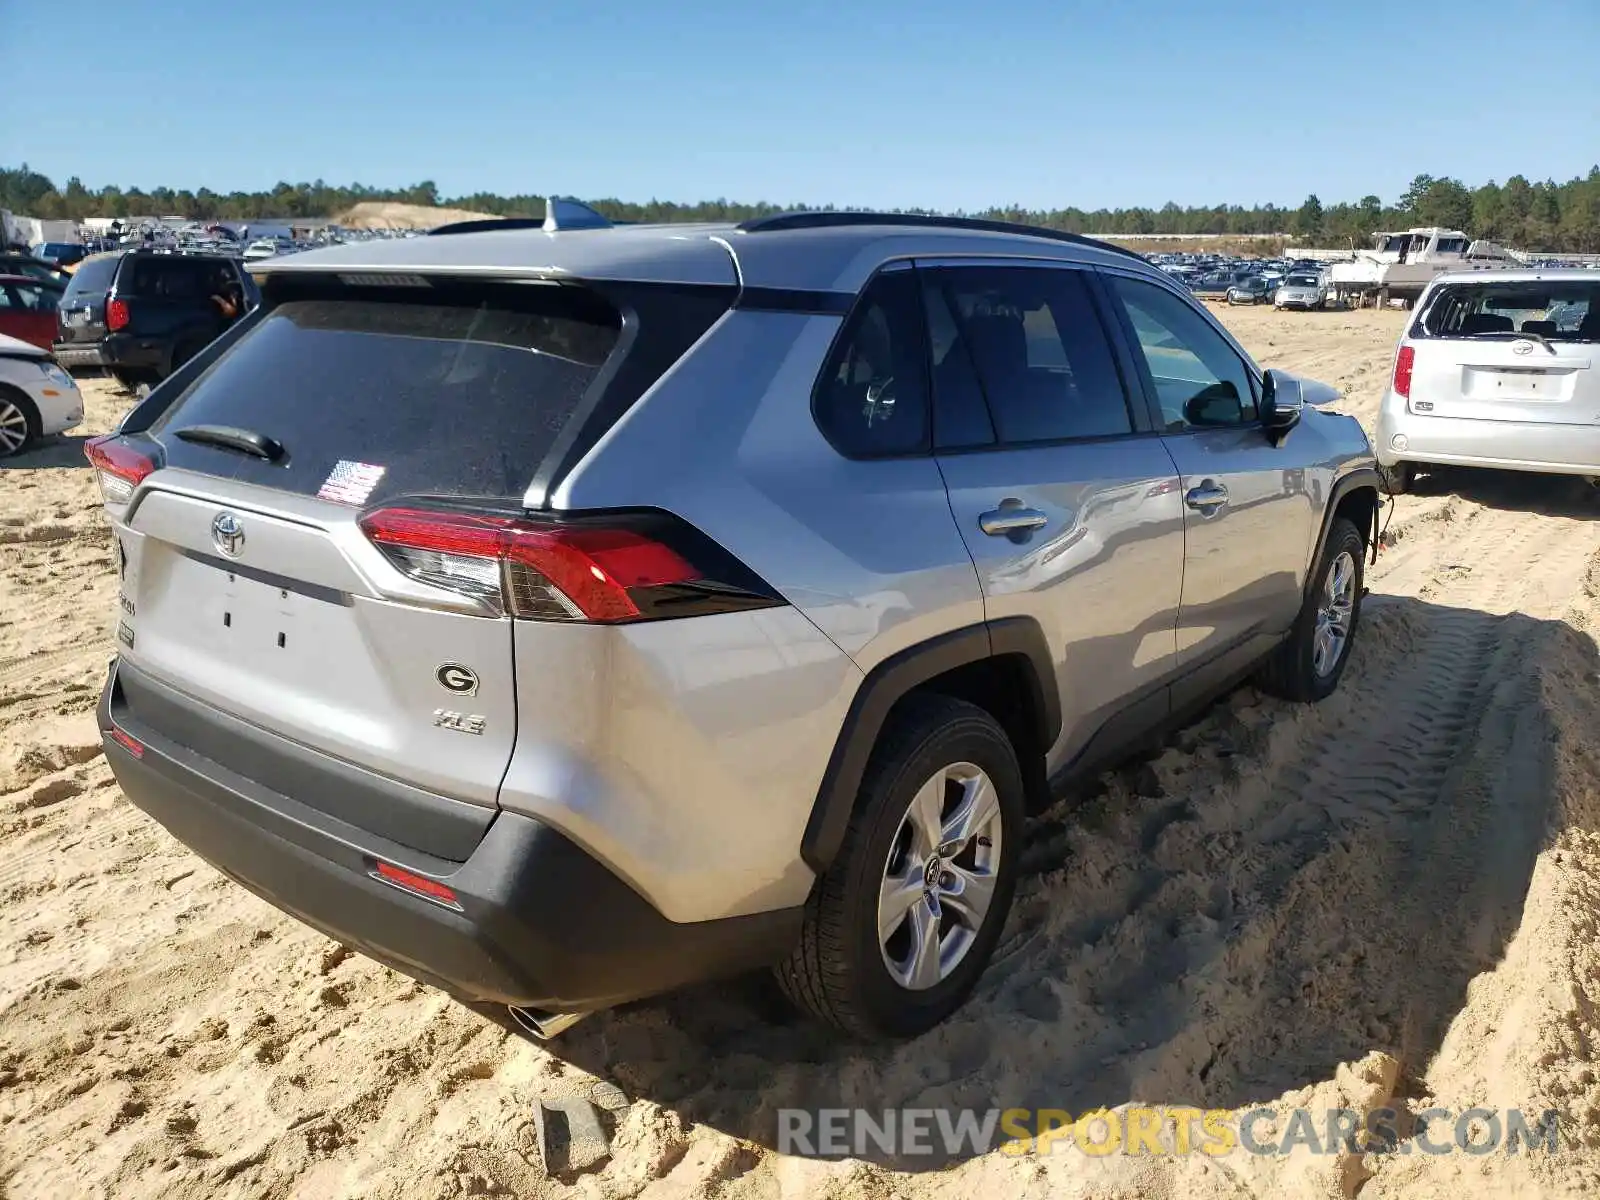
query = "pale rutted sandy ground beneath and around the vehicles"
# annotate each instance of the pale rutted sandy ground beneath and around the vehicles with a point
(1391, 900)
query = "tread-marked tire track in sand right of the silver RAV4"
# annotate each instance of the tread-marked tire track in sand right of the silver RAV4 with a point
(1393, 870)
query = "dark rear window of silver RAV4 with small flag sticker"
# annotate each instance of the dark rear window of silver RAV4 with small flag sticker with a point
(430, 394)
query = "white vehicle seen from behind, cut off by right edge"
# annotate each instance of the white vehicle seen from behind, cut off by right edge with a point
(1497, 369)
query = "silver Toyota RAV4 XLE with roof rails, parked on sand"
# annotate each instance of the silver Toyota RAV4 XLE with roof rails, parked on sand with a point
(564, 615)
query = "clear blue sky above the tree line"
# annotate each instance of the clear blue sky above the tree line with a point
(938, 103)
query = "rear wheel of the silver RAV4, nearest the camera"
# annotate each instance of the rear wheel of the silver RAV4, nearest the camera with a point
(900, 929)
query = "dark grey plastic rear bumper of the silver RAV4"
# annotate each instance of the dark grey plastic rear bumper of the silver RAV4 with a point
(537, 922)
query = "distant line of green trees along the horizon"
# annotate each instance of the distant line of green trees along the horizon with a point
(1537, 217)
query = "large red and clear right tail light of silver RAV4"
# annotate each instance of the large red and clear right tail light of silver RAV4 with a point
(633, 567)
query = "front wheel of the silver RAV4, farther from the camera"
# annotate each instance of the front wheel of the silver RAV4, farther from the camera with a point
(1311, 660)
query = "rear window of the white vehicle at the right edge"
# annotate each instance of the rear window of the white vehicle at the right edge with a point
(1554, 310)
